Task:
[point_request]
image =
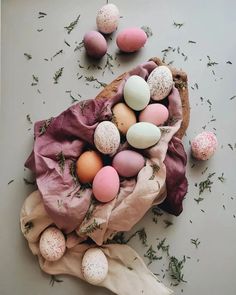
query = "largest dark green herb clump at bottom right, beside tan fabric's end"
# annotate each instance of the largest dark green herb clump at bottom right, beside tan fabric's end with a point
(175, 269)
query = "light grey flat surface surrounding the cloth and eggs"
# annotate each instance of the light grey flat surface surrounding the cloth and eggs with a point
(212, 267)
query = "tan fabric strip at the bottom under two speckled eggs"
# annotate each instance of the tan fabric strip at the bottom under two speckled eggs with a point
(127, 272)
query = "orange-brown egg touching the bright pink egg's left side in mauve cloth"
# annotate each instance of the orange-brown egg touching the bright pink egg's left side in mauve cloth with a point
(87, 166)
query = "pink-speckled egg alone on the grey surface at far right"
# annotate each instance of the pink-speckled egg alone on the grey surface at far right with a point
(204, 145)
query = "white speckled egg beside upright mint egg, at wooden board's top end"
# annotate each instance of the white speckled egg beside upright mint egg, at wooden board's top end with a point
(160, 82)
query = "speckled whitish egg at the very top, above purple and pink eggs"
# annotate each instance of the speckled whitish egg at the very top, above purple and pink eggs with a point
(108, 18)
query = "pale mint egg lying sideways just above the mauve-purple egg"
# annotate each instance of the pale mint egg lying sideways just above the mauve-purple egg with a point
(143, 135)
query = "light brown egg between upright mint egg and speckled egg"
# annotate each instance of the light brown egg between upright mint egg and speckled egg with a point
(123, 117)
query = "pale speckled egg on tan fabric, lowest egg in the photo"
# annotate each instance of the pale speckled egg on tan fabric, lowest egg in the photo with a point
(94, 266)
